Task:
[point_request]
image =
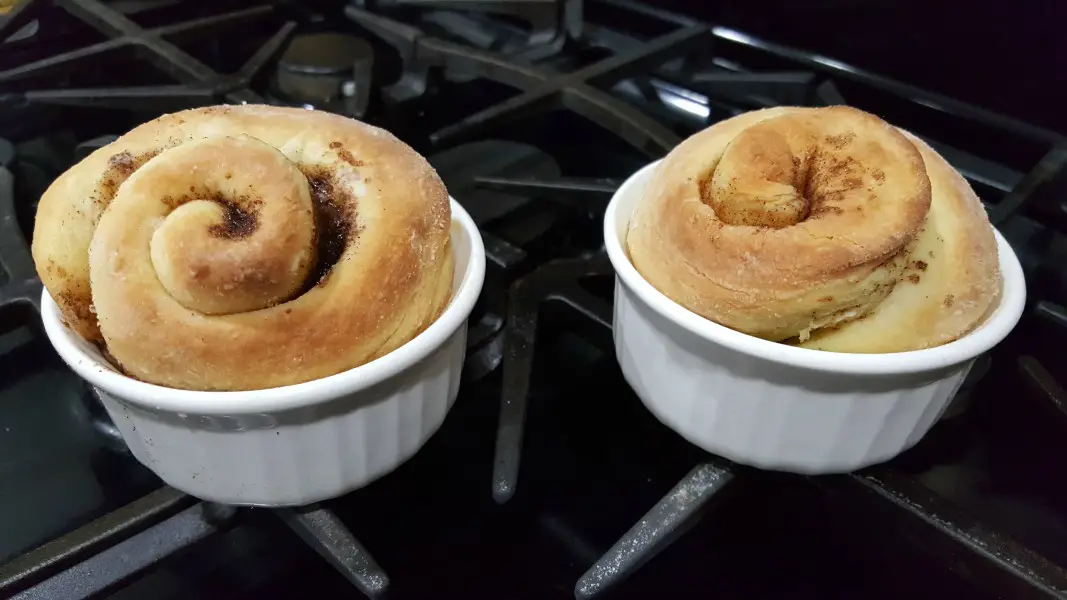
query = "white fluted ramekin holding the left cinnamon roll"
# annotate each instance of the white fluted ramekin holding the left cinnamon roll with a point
(302, 444)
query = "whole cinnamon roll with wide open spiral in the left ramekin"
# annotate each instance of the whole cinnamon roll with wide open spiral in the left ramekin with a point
(247, 247)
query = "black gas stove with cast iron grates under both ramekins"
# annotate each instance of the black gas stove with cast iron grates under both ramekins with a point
(549, 480)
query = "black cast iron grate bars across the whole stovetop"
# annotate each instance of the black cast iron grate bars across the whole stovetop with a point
(673, 72)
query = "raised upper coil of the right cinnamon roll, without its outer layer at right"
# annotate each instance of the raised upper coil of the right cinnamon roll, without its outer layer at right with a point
(785, 223)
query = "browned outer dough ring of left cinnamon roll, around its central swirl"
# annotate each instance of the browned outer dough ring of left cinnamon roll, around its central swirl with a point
(393, 278)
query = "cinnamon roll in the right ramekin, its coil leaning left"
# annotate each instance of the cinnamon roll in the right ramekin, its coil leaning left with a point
(825, 228)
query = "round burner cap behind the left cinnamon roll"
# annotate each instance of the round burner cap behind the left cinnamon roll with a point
(327, 71)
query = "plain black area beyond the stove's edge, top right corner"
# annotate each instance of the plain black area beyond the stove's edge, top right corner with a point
(1008, 56)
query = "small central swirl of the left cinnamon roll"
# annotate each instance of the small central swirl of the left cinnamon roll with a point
(236, 225)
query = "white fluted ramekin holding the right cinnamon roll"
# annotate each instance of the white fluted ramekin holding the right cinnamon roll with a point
(775, 406)
